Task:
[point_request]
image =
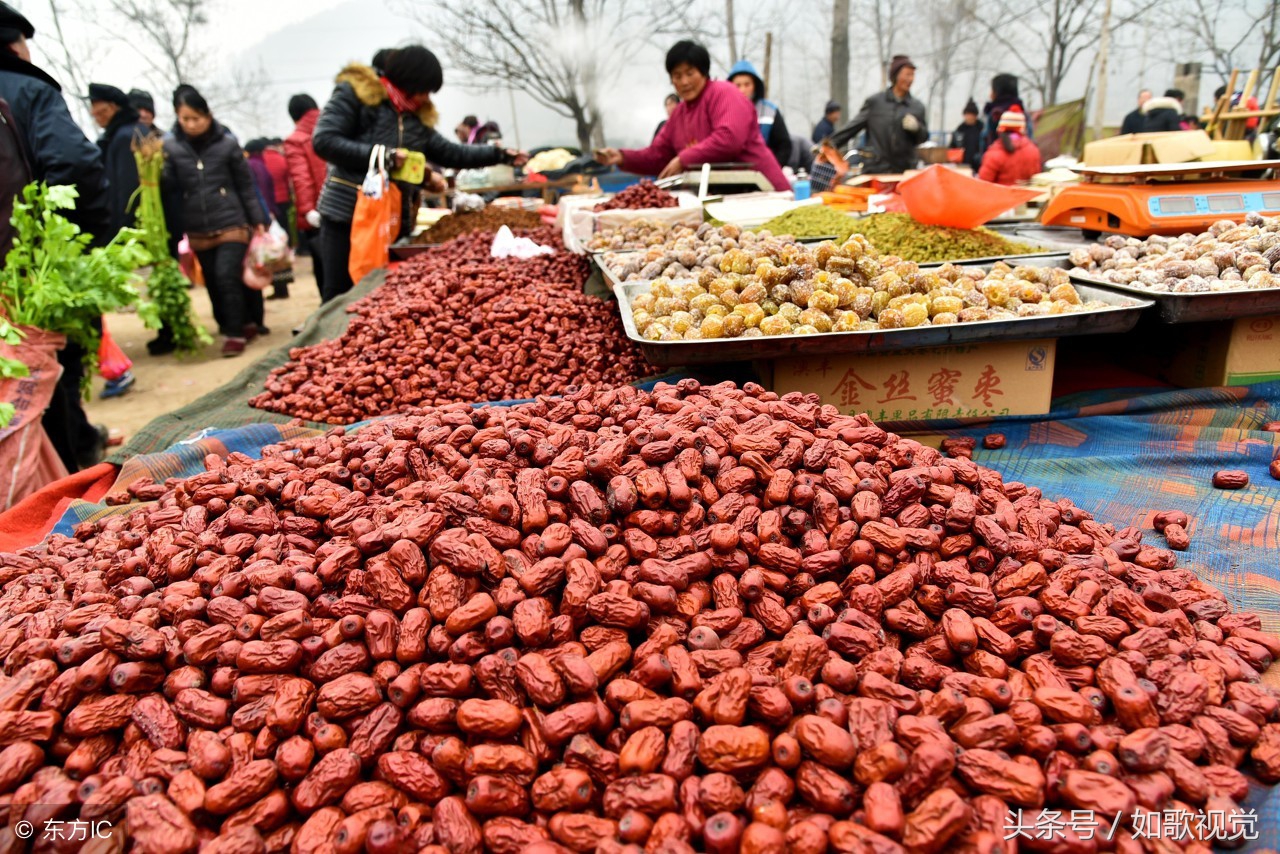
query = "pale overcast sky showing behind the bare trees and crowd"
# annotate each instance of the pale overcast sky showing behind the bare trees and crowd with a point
(303, 44)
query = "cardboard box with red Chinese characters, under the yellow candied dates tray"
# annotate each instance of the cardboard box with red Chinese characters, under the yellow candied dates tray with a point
(962, 381)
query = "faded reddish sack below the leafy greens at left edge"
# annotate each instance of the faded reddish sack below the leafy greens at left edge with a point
(28, 458)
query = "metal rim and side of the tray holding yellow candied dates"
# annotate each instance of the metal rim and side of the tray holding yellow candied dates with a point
(1122, 316)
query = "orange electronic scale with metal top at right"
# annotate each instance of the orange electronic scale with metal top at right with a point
(1164, 199)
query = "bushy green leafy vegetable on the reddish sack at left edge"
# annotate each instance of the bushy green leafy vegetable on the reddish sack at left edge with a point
(53, 281)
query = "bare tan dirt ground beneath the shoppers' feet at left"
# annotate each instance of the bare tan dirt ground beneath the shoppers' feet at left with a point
(167, 383)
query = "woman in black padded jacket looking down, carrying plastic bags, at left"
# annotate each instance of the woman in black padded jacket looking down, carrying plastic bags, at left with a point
(221, 211)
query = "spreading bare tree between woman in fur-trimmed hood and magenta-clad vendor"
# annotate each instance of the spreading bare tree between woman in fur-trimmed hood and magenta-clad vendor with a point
(561, 53)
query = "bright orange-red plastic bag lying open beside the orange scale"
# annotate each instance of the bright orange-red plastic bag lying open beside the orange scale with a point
(941, 197)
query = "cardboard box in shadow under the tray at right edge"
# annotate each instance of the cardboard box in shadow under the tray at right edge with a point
(1233, 353)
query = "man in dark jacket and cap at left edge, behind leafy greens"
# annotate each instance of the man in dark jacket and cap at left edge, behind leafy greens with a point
(57, 153)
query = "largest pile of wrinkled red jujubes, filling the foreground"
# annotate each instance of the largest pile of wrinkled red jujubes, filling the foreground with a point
(697, 619)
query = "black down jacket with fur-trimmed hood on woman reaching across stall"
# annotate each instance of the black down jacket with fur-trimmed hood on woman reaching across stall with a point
(358, 117)
